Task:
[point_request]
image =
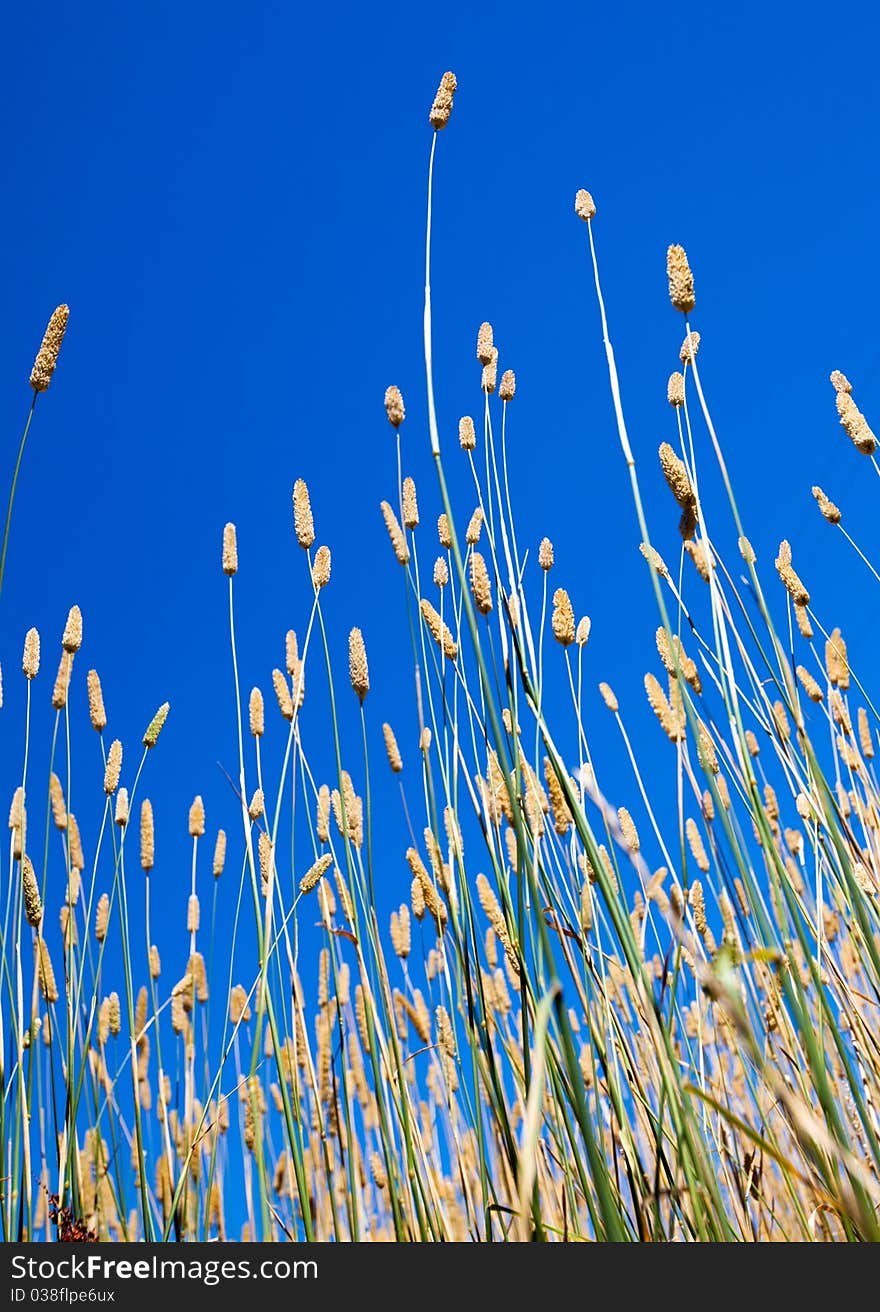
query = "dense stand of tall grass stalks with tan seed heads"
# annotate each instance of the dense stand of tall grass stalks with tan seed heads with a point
(554, 1038)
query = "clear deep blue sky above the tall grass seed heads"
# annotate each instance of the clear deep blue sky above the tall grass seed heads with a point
(231, 199)
